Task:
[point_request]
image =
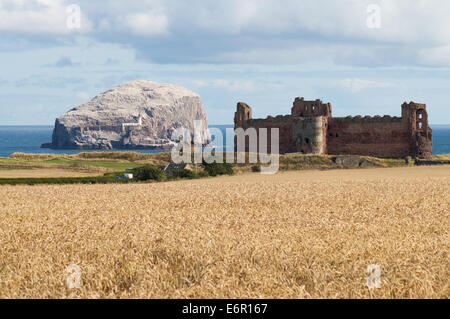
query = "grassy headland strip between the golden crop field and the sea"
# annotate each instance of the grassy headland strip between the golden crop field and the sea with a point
(102, 167)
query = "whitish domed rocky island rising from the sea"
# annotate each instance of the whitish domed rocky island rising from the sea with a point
(135, 115)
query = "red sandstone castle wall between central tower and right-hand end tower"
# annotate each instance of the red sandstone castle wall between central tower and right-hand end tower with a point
(379, 136)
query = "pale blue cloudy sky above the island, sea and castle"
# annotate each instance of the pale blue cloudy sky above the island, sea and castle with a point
(364, 57)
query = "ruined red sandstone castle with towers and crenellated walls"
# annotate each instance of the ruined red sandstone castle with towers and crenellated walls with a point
(311, 129)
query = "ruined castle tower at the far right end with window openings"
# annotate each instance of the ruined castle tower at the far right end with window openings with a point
(415, 118)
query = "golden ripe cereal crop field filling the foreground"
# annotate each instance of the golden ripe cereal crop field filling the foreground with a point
(301, 234)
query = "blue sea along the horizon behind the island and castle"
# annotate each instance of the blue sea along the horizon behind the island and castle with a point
(28, 139)
